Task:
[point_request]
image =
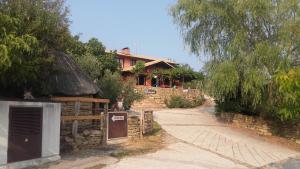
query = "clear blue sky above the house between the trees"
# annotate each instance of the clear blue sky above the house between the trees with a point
(142, 25)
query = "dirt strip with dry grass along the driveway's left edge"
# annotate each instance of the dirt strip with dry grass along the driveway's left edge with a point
(97, 158)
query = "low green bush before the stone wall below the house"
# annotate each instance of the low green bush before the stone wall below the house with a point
(181, 102)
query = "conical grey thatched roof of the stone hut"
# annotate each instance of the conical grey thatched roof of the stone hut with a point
(69, 79)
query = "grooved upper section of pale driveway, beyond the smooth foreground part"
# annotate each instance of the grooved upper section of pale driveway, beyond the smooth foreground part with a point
(199, 127)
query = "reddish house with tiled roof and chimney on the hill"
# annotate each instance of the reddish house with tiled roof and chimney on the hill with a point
(152, 65)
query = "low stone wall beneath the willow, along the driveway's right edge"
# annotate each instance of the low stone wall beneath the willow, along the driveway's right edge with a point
(261, 126)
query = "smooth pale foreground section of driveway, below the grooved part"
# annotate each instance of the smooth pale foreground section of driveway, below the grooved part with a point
(177, 156)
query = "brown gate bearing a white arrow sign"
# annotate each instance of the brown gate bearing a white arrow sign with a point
(117, 125)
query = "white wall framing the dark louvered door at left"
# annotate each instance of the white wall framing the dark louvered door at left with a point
(51, 127)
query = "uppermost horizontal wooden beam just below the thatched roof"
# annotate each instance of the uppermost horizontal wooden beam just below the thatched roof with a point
(80, 99)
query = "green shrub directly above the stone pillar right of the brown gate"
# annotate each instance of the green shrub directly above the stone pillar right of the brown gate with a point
(130, 94)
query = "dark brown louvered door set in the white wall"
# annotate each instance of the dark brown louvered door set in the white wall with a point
(25, 133)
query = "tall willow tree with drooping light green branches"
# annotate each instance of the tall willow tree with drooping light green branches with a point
(247, 43)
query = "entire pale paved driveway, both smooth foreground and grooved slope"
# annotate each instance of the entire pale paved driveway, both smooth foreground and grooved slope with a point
(205, 143)
